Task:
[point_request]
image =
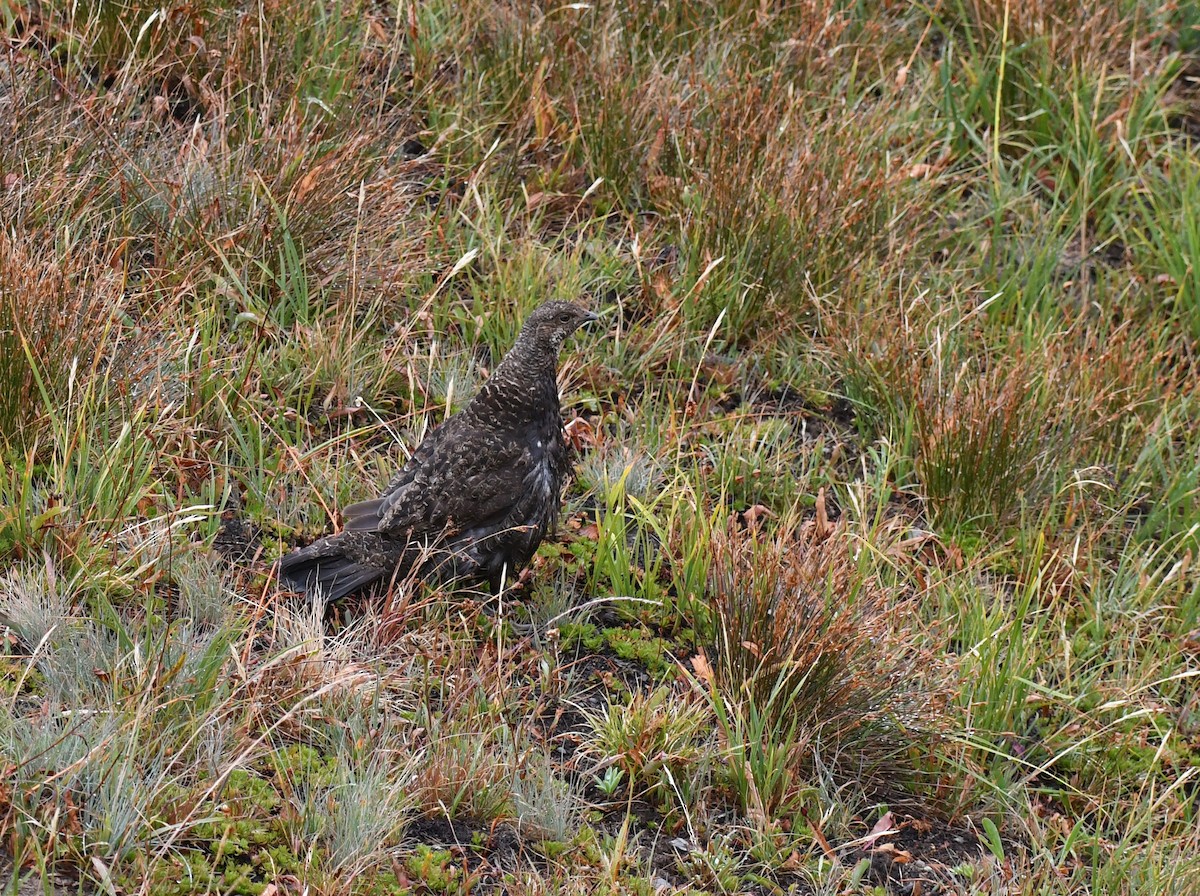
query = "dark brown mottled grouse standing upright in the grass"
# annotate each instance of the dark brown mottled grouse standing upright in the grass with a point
(476, 498)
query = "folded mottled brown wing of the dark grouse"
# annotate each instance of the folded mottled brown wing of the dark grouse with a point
(459, 478)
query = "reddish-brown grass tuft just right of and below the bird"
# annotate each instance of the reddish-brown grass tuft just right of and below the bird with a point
(817, 670)
